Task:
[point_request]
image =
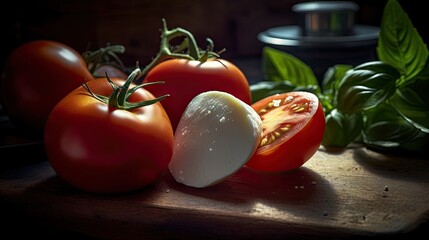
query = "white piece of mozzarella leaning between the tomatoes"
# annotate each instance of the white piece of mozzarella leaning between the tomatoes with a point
(216, 136)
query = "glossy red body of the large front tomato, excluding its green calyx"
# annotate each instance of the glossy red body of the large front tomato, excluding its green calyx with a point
(103, 150)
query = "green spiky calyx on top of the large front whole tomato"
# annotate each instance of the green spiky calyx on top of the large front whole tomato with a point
(120, 95)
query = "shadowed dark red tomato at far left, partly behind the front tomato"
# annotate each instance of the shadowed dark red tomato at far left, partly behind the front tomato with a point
(36, 76)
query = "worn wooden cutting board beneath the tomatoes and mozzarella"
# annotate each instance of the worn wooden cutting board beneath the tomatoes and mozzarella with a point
(355, 193)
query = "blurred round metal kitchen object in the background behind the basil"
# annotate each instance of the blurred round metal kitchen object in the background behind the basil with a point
(326, 35)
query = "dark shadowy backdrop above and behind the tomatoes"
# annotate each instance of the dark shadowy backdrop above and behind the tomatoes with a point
(135, 24)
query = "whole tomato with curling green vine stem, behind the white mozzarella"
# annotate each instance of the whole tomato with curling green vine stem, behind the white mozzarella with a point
(188, 71)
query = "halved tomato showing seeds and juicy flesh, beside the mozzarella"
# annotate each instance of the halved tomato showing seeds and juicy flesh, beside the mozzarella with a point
(293, 125)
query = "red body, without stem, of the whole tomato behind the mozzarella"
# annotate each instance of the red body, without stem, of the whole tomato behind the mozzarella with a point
(185, 79)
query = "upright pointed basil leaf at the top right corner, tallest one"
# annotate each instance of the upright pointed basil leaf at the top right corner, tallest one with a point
(399, 44)
